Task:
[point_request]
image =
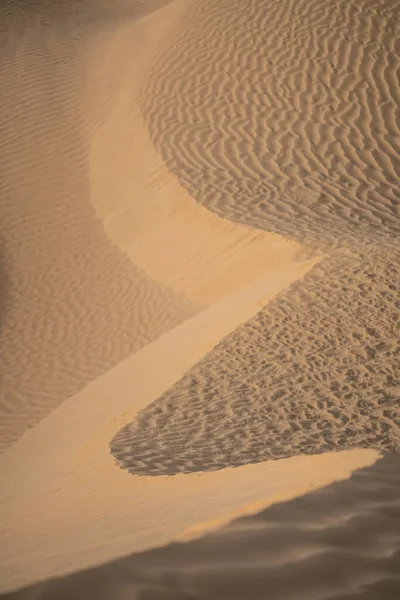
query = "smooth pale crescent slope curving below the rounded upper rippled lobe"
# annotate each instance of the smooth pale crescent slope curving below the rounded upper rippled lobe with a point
(144, 209)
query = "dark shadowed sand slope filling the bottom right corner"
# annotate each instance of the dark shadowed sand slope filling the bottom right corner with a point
(342, 541)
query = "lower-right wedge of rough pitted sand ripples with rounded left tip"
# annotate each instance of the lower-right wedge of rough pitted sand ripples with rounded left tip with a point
(316, 370)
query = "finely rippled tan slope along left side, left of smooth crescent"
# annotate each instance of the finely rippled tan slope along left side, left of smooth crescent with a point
(72, 305)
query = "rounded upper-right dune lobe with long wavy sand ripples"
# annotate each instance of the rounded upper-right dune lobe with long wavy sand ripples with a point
(284, 115)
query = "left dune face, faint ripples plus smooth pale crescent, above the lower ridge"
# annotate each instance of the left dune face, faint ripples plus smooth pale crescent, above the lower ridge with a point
(73, 304)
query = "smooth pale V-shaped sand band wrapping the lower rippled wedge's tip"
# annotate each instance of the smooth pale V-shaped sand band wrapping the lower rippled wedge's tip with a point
(96, 512)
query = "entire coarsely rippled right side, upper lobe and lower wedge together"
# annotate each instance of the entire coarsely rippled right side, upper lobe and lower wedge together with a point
(282, 116)
